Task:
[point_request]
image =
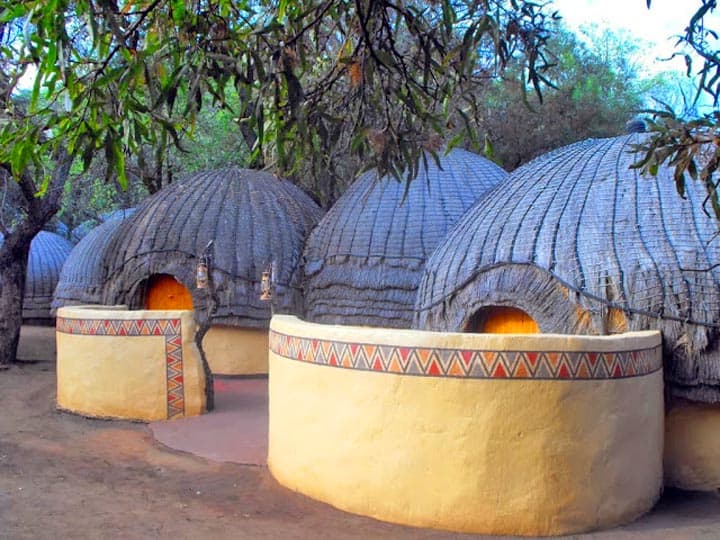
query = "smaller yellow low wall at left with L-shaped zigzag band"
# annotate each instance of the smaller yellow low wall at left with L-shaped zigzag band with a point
(137, 365)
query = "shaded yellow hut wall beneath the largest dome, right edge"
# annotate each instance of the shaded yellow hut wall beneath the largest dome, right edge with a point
(692, 446)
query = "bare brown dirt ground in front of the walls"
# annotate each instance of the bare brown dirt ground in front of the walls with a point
(63, 476)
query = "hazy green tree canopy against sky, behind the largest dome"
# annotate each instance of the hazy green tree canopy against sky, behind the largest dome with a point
(598, 87)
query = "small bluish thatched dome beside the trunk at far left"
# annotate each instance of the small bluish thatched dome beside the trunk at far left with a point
(48, 252)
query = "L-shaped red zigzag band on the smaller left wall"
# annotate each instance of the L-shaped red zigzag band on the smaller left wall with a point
(170, 329)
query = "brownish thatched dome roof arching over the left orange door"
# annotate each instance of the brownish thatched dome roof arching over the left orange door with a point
(253, 218)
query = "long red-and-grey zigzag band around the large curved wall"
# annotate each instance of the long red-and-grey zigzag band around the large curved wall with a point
(468, 363)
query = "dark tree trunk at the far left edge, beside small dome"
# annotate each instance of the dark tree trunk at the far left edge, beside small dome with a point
(13, 266)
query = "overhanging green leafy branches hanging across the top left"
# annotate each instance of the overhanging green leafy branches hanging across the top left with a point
(315, 80)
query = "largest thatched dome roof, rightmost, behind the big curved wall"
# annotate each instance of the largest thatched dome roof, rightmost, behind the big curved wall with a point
(586, 245)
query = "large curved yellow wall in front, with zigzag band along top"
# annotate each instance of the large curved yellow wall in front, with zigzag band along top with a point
(529, 435)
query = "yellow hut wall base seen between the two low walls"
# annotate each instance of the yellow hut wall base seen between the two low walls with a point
(231, 350)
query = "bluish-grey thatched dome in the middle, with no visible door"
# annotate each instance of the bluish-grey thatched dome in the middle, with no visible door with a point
(363, 261)
